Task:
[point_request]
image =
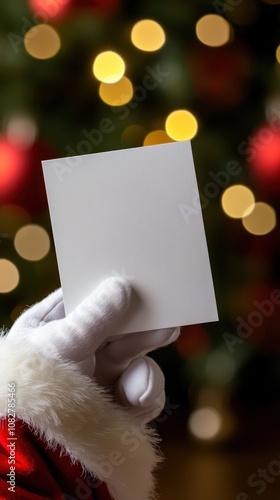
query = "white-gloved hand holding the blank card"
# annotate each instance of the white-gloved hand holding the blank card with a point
(86, 336)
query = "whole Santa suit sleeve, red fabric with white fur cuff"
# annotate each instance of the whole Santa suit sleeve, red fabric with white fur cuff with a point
(63, 438)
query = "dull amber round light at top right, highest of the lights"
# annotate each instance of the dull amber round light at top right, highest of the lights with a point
(213, 30)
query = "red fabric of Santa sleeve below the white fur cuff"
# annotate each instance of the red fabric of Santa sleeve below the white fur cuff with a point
(30, 471)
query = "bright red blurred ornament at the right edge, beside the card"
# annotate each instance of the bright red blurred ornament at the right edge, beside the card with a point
(263, 156)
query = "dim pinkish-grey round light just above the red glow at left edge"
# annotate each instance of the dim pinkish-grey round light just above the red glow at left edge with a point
(21, 130)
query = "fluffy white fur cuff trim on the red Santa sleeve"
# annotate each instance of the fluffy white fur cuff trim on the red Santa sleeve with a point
(67, 408)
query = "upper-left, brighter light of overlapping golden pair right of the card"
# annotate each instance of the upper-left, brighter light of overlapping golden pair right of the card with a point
(237, 201)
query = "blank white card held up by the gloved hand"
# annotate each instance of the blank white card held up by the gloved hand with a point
(133, 213)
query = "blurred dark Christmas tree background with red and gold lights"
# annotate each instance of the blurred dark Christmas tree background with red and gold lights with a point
(78, 77)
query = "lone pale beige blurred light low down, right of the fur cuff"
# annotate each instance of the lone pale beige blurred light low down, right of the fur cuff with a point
(205, 423)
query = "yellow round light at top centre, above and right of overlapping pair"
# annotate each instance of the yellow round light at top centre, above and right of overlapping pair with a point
(147, 35)
